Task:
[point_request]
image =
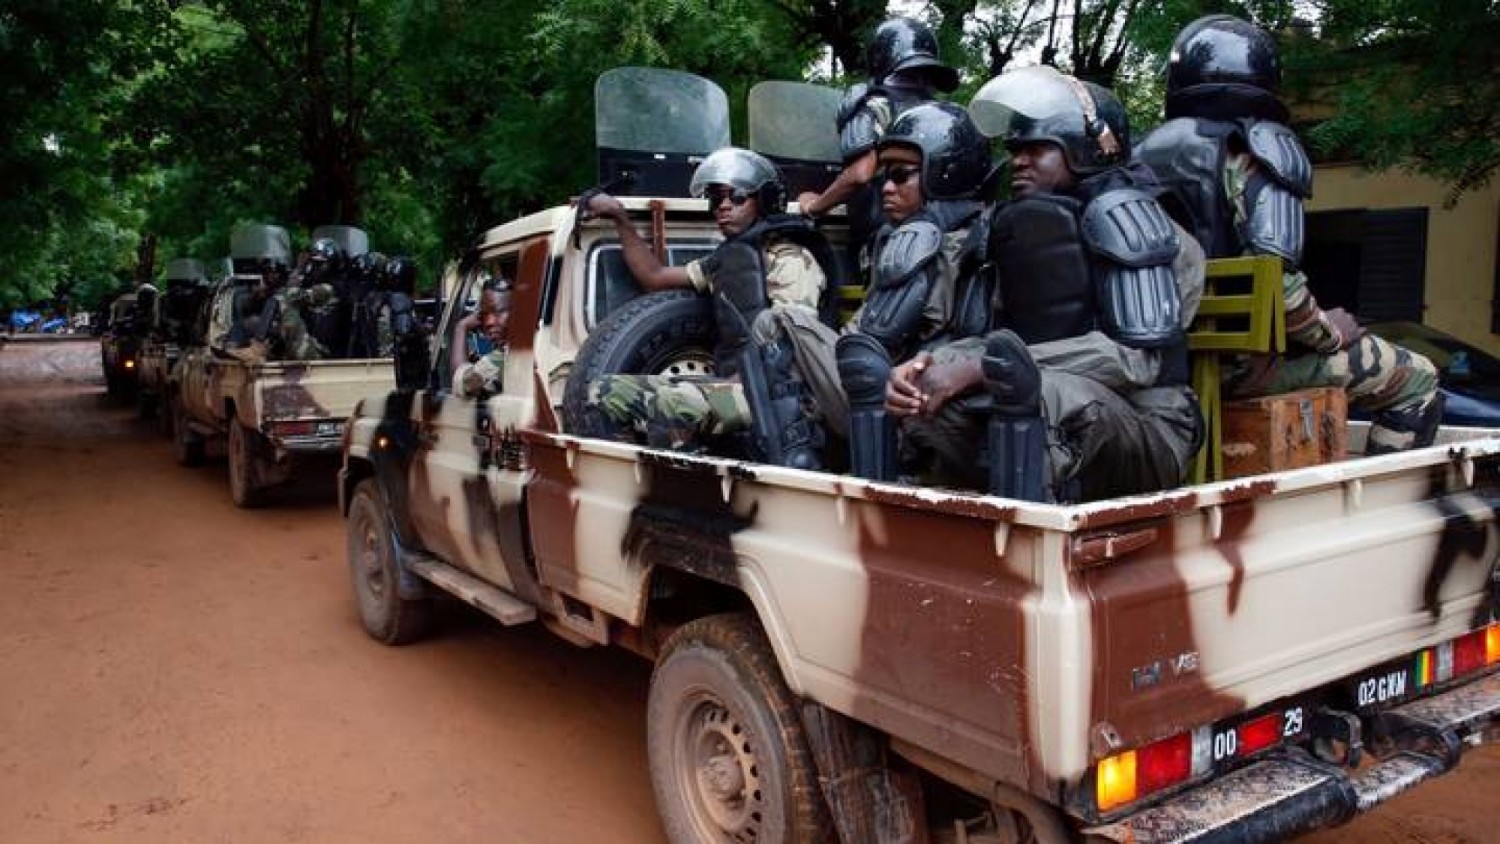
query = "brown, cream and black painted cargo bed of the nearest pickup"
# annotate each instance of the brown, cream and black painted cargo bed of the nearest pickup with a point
(1028, 642)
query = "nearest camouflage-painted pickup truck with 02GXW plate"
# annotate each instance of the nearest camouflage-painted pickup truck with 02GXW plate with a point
(1231, 662)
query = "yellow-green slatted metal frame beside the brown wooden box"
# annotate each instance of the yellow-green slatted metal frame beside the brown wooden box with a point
(1262, 329)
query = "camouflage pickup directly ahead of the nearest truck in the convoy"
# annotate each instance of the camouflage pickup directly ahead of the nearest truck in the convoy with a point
(269, 416)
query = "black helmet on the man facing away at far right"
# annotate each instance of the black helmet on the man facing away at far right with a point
(1223, 68)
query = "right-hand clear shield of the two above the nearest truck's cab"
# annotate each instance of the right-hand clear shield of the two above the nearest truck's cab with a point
(796, 125)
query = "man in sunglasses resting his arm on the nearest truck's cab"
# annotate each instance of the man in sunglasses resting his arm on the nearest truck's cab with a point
(769, 281)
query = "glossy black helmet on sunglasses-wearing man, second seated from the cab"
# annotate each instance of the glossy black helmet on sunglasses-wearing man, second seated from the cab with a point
(956, 155)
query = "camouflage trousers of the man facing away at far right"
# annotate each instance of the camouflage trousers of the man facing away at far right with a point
(1381, 379)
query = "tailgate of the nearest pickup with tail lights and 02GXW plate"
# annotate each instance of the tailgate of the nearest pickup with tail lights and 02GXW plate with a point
(1292, 611)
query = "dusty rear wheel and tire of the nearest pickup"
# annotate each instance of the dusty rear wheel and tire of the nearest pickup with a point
(730, 759)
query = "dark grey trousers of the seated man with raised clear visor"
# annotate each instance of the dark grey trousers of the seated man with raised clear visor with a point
(1102, 443)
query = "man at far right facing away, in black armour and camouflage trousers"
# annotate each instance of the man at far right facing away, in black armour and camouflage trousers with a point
(1238, 178)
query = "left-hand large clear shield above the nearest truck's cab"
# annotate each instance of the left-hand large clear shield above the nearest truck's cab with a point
(659, 112)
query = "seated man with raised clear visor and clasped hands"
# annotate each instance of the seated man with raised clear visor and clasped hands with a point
(1079, 385)
